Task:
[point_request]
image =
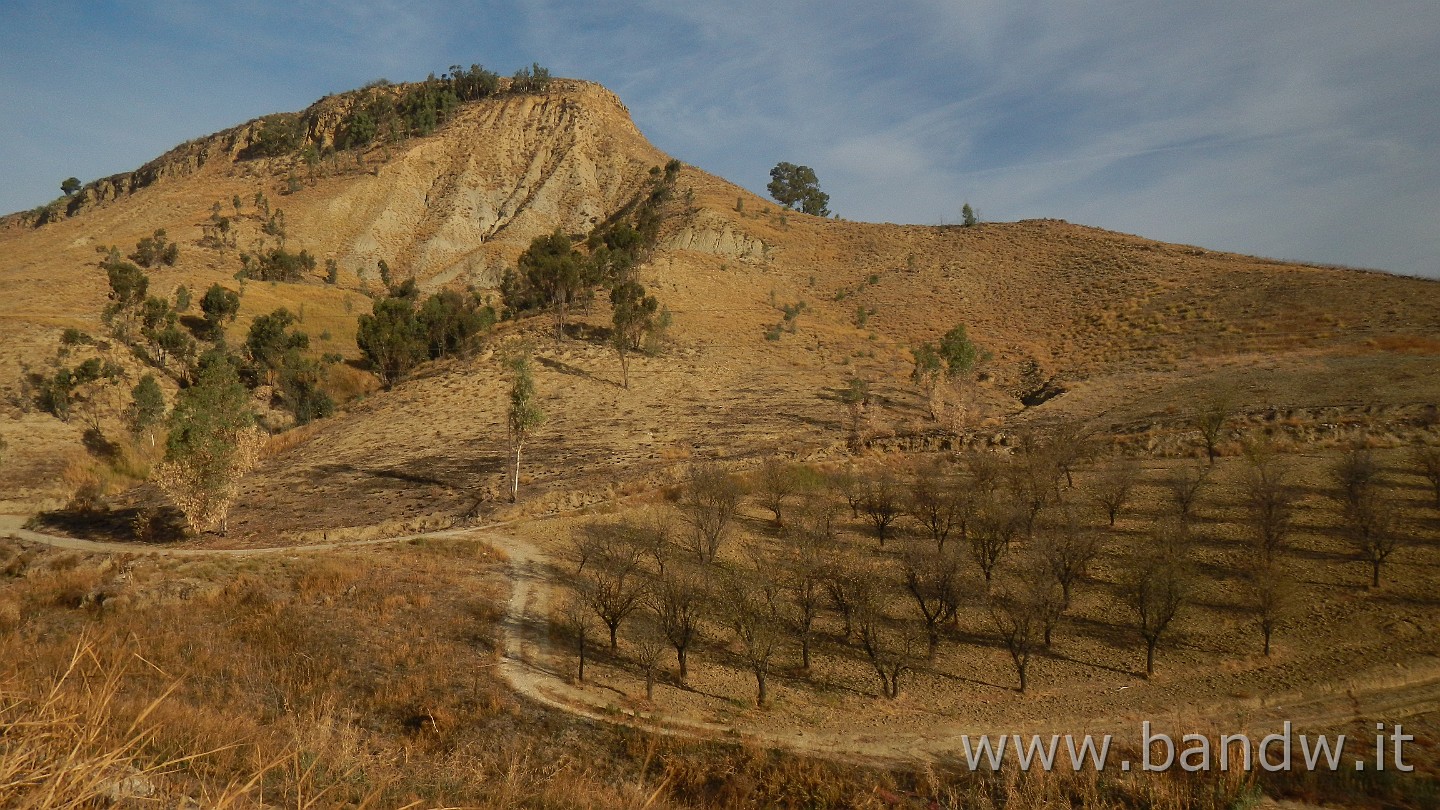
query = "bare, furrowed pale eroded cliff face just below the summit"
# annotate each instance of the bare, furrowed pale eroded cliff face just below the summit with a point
(464, 202)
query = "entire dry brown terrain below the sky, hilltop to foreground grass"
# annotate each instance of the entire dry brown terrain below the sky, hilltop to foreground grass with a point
(387, 628)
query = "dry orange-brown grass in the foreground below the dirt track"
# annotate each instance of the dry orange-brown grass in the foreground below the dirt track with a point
(368, 678)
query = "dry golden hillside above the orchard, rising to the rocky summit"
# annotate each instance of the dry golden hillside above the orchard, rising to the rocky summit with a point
(1134, 332)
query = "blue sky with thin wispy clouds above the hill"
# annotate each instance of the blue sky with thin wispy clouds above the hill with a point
(1305, 132)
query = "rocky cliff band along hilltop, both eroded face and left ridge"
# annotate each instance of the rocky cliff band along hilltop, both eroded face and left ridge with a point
(459, 204)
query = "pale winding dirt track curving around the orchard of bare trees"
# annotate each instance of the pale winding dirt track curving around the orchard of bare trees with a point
(526, 667)
